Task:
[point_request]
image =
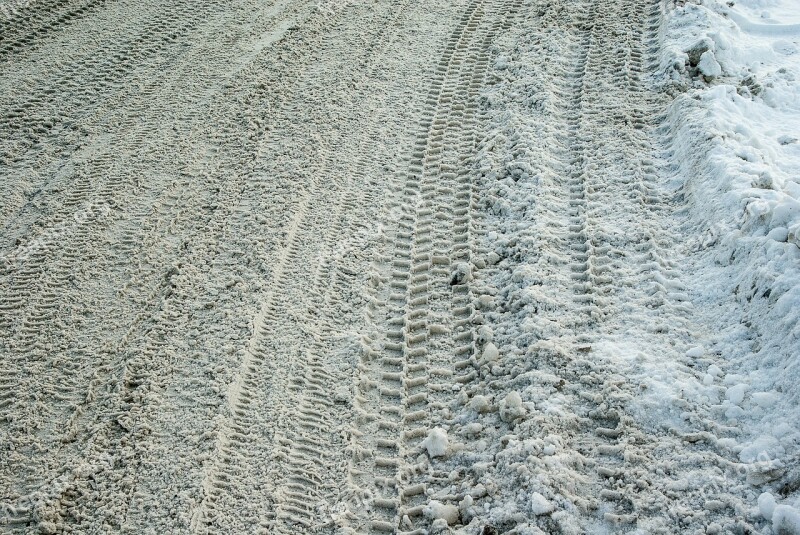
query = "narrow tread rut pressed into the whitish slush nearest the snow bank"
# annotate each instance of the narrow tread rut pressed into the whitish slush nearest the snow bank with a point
(595, 263)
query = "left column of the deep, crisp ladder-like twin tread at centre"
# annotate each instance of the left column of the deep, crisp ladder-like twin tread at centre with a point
(390, 385)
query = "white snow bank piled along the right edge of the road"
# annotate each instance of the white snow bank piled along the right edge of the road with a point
(733, 129)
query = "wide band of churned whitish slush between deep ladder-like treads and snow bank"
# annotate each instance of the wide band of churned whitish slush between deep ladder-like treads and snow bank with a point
(597, 230)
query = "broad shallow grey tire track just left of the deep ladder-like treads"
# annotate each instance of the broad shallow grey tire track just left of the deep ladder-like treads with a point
(299, 413)
